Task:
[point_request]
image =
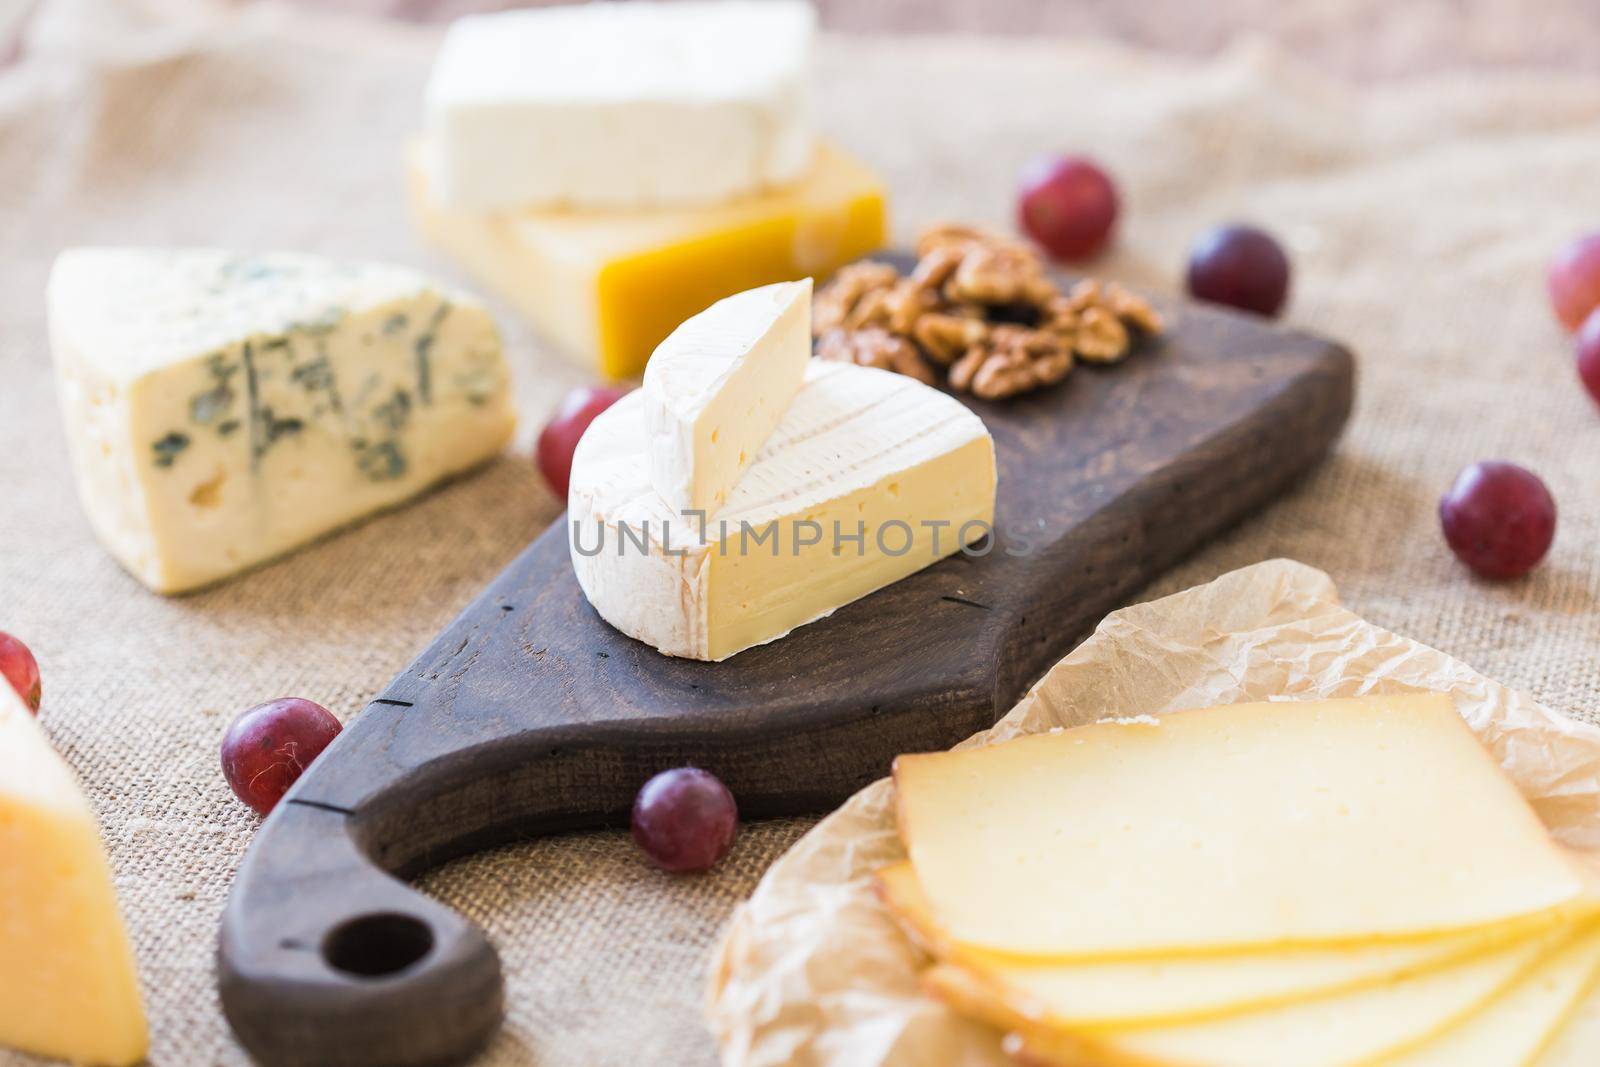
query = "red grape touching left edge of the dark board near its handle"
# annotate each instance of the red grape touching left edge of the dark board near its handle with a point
(271, 745)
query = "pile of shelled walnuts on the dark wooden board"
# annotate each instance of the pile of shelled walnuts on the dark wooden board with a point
(982, 308)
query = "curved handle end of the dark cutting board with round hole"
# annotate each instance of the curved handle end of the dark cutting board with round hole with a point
(346, 949)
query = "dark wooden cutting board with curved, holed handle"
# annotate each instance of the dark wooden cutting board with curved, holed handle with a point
(530, 716)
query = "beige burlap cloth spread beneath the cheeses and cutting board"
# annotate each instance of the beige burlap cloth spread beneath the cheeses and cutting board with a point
(1420, 218)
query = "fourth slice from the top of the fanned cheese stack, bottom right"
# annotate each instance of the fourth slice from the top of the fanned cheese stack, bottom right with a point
(1513, 1031)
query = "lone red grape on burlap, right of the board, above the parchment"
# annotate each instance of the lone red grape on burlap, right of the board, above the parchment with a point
(1498, 519)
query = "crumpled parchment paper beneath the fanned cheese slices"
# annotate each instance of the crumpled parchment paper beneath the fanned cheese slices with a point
(814, 972)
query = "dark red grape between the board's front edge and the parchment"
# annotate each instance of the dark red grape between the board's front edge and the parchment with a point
(686, 820)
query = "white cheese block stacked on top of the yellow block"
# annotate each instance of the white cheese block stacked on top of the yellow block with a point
(622, 105)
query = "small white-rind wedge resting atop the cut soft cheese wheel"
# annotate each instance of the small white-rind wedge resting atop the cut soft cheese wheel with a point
(718, 388)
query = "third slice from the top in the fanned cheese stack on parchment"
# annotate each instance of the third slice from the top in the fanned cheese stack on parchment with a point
(1356, 1029)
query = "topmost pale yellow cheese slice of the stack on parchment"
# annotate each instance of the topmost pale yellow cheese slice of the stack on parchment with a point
(1242, 826)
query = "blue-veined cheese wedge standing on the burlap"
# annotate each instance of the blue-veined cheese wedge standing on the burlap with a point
(226, 409)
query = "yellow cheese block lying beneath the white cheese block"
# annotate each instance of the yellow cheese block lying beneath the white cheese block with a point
(610, 286)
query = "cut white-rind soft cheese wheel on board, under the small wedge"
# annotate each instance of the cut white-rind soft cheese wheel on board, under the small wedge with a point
(870, 478)
